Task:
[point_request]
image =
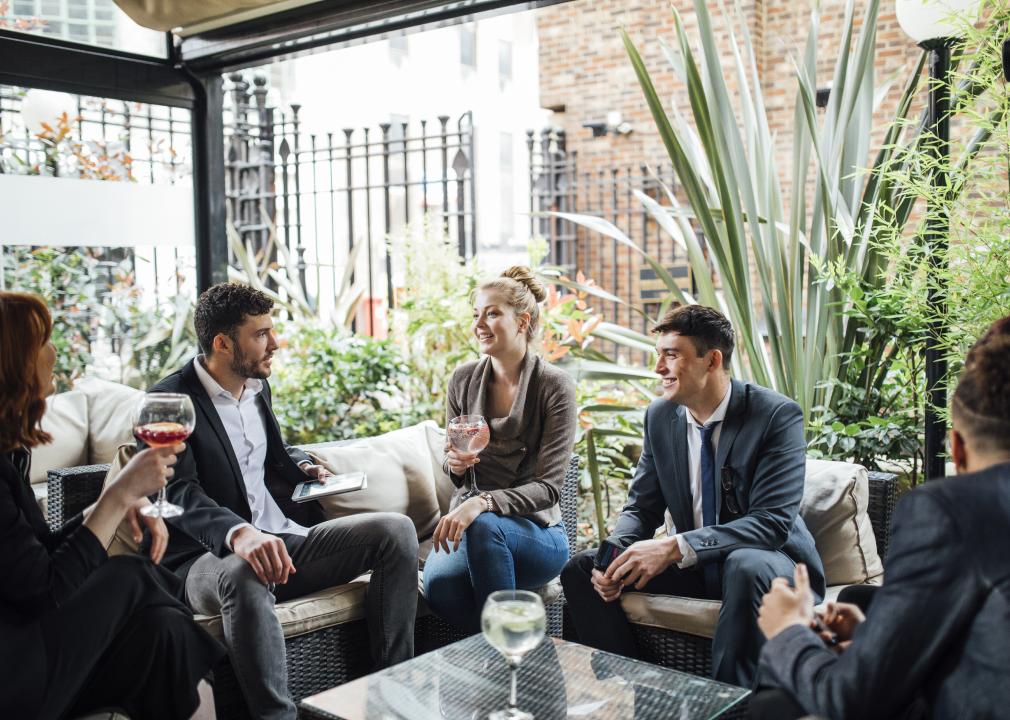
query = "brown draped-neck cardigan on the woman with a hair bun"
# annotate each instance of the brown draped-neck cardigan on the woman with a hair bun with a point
(524, 466)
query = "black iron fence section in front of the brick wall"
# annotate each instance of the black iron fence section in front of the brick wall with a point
(559, 184)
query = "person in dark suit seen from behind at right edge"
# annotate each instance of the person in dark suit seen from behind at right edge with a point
(937, 632)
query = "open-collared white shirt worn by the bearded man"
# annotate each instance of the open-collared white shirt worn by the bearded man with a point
(247, 430)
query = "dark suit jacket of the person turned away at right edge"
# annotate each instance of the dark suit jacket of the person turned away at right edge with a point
(940, 626)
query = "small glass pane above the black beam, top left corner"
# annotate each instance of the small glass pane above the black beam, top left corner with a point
(50, 18)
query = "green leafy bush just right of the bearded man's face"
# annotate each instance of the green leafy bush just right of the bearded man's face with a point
(330, 386)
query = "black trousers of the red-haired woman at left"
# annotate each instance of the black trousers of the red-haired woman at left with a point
(125, 641)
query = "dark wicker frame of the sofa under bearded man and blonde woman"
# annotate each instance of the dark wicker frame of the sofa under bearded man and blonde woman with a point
(324, 658)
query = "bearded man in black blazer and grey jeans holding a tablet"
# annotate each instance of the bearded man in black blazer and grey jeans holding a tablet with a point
(242, 543)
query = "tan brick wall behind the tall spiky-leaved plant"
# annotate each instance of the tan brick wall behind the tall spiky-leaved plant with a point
(585, 74)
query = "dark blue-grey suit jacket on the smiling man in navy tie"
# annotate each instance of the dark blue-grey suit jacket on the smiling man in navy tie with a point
(761, 449)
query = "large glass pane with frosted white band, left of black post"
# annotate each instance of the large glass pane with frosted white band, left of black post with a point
(111, 276)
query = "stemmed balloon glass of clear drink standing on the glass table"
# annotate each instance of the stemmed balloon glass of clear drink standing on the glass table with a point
(514, 623)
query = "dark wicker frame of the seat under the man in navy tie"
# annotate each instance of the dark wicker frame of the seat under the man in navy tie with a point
(692, 654)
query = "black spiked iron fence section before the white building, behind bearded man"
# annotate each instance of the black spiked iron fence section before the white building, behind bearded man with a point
(326, 192)
